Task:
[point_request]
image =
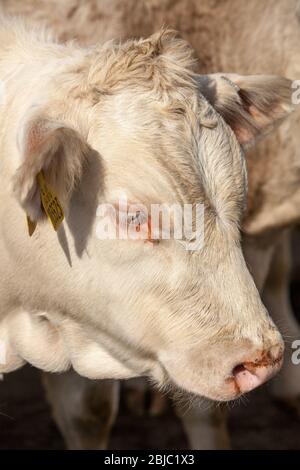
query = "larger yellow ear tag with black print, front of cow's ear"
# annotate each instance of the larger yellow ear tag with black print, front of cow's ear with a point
(50, 202)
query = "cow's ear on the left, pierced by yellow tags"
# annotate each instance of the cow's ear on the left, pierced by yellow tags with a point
(56, 150)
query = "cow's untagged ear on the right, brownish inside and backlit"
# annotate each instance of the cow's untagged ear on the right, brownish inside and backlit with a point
(251, 105)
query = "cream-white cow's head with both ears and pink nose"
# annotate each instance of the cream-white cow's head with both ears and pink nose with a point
(134, 121)
